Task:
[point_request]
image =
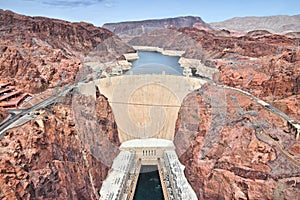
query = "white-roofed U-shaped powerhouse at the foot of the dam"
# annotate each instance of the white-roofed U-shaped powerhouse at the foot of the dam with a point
(135, 155)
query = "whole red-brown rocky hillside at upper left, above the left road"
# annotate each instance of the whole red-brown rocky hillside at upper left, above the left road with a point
(40, 53)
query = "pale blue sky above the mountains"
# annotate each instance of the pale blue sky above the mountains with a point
(99, 12)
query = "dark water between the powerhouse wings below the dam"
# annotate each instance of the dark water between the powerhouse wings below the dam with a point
(148, 186)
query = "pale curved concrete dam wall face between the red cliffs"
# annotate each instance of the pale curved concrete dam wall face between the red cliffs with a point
(147, 105)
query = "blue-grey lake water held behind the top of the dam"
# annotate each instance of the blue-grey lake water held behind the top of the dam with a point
(155, 63)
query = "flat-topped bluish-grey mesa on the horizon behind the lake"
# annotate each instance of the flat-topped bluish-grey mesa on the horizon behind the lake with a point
(141, 27)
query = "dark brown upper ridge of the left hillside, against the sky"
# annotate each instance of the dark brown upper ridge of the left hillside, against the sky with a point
(57, 33)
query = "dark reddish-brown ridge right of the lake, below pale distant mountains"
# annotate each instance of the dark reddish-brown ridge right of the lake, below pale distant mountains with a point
(219, 47)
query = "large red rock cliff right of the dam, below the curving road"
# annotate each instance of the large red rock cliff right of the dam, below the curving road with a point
(238, 151)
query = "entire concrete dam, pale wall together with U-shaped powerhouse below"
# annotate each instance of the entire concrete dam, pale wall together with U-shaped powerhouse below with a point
(146, 108)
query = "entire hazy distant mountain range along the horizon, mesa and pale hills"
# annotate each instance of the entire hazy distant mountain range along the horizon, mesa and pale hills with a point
(273, 24)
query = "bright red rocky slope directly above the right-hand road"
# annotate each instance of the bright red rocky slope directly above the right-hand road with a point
(275, 78)
